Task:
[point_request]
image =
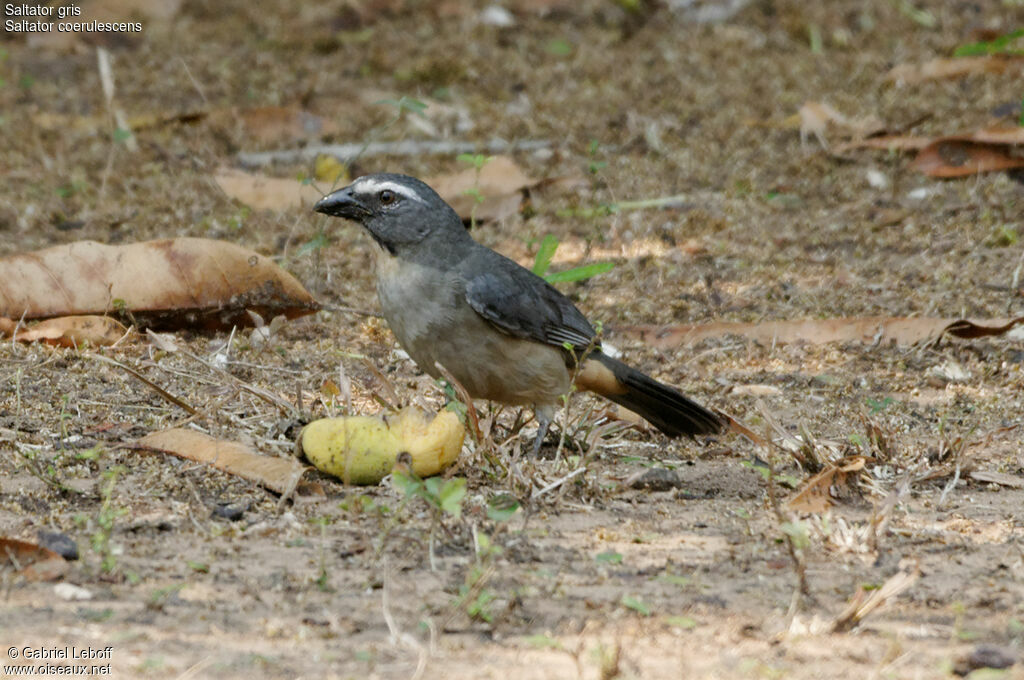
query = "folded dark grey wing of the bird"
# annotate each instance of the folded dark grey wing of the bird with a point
(519, 303)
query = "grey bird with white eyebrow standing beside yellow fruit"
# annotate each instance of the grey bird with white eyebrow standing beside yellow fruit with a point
(500, 330)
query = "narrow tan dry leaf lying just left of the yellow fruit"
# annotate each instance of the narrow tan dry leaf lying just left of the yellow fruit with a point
(279, 475)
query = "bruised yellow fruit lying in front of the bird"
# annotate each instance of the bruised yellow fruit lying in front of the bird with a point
(363, 450)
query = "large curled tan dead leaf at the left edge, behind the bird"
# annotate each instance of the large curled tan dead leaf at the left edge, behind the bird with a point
(180, 283)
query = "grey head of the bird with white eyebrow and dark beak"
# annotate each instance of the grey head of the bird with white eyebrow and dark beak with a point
(398, 210)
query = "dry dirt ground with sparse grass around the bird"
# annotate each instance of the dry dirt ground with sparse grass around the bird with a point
(192, 573)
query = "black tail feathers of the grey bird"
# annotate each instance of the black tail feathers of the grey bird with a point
(663, 407)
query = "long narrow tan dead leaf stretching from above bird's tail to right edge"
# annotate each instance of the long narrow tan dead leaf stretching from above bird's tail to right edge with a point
(902, 330)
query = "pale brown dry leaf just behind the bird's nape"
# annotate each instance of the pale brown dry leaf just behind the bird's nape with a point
(500, 183)
